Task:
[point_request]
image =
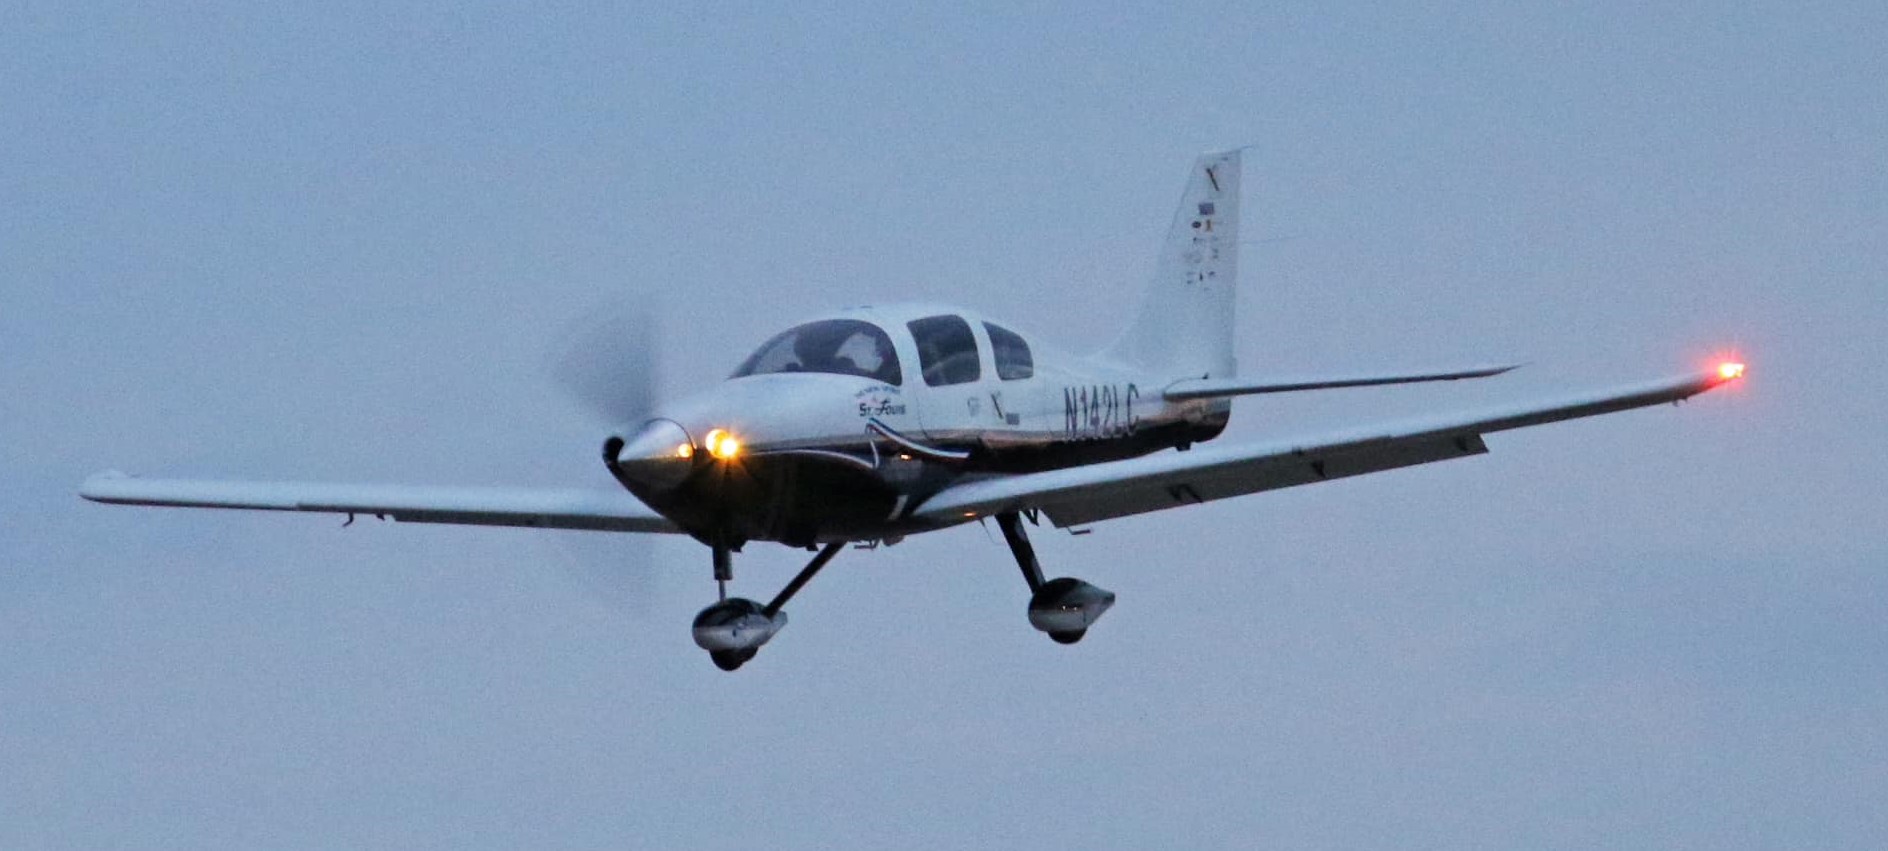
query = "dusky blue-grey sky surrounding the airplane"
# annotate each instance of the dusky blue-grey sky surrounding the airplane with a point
(343, 242)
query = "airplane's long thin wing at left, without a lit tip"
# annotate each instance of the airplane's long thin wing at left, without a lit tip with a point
(480, 507)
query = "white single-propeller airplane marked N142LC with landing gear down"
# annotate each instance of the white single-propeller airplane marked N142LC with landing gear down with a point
(877, 424)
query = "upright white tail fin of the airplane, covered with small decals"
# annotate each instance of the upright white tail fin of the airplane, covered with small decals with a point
(1185, 327)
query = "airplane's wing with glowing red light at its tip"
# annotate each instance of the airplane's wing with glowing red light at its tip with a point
(1092, 493)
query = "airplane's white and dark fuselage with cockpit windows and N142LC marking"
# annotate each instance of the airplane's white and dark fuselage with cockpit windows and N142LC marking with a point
(851, 425)
